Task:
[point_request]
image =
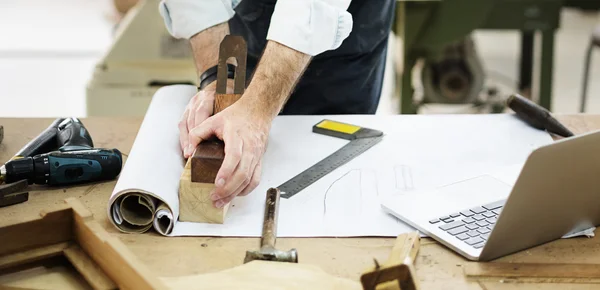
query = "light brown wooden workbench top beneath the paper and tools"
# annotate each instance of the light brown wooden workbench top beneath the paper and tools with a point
(437, 267)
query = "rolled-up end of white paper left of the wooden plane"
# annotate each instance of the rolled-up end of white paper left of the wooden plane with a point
(146, 194)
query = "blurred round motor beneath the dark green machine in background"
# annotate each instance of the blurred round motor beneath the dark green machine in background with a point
(455, 76)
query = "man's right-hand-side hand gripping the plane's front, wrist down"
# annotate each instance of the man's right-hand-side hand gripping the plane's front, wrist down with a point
(244, 129)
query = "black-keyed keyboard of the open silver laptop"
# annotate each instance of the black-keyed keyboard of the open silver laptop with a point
(472, 226)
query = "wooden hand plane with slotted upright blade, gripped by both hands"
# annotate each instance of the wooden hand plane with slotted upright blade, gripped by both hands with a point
(198, 177)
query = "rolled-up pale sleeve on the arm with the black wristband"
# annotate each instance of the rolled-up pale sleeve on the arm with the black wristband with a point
(185, 18)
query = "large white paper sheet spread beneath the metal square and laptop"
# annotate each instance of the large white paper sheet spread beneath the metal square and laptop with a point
(417, 152)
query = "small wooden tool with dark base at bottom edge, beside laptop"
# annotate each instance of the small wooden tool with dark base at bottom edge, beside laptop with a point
(398, 270)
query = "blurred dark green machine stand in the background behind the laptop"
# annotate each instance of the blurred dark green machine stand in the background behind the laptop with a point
(427, 27)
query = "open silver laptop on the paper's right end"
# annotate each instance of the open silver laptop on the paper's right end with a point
(557, 192)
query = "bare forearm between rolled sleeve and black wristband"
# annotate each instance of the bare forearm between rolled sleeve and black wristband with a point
(205, 46)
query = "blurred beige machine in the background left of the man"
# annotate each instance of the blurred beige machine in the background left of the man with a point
(143, 58)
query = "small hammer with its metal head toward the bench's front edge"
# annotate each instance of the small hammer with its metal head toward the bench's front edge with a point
(267, 250)
